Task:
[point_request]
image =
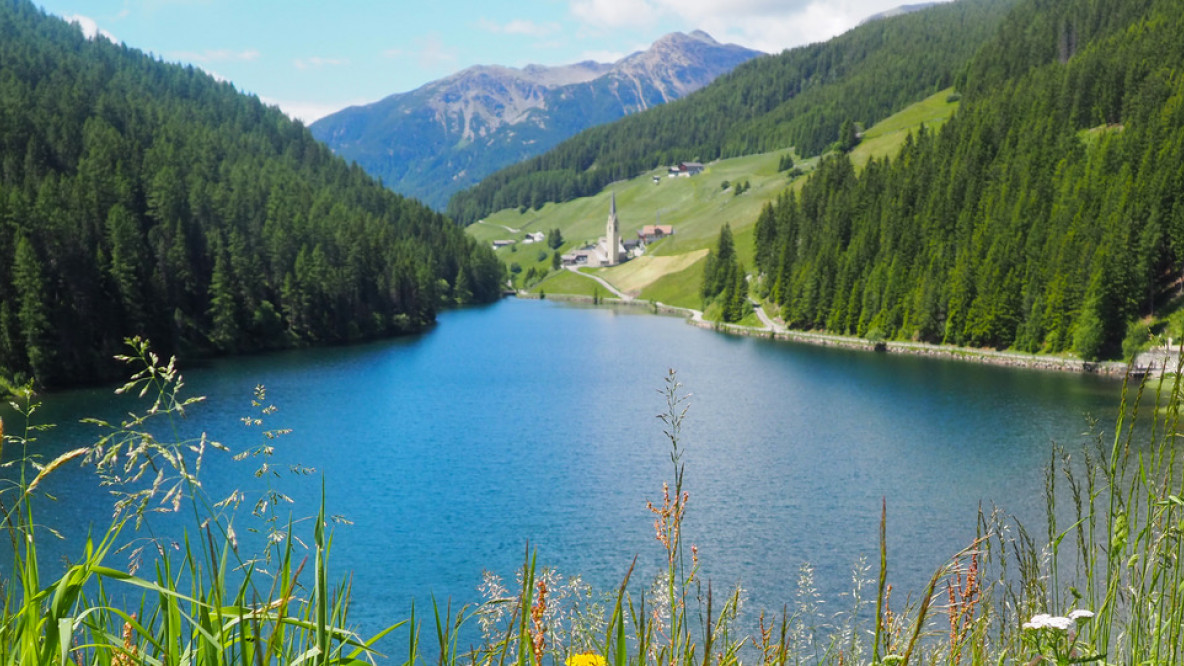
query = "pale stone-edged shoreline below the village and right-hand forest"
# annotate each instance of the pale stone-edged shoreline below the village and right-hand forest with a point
(989, 357)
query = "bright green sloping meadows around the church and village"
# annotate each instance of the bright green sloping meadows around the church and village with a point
(697, 207)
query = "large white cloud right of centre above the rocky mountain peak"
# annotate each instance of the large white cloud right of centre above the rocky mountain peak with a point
(768, 25)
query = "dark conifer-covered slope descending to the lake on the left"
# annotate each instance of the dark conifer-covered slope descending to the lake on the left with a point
(139, 198)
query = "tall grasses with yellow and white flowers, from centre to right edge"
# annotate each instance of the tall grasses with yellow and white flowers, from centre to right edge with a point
(1104, 585)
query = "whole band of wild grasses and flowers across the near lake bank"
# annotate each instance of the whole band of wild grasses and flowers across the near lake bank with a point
(1104, 585)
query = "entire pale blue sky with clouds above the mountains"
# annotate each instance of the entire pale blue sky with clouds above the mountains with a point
(312, 59)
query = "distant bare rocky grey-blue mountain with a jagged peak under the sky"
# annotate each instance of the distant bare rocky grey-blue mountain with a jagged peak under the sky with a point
(449, 135)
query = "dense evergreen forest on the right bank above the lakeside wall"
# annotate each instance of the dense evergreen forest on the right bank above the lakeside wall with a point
(1046, 216)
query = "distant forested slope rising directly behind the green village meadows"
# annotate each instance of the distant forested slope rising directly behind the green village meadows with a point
(799, 99)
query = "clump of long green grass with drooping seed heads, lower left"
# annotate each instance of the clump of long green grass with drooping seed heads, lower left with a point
(205, 605)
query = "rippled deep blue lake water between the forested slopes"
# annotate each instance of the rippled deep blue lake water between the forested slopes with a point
(535, 422)
